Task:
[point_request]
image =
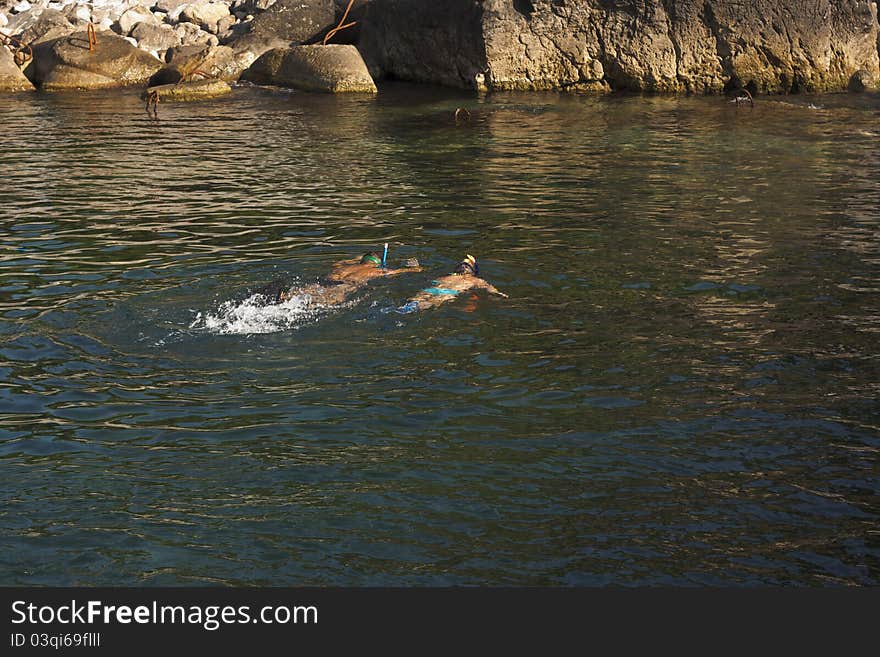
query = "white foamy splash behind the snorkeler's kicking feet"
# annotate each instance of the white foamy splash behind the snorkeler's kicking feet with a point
(254, 315)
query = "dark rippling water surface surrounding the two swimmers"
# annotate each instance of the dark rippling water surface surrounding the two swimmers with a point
(681, 389)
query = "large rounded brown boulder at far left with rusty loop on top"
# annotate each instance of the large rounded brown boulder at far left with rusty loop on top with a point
(67, 63)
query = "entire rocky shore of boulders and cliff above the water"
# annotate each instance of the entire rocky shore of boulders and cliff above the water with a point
(693, 46)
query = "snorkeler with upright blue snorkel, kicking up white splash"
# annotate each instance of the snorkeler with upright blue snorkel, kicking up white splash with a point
(347, 277)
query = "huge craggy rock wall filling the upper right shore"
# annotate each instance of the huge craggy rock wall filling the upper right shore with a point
(656, 45)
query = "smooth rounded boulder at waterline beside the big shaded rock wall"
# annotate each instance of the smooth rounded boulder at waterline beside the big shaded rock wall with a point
(331, 68)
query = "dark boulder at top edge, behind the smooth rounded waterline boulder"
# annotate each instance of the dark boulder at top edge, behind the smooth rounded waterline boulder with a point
(285, 23)
